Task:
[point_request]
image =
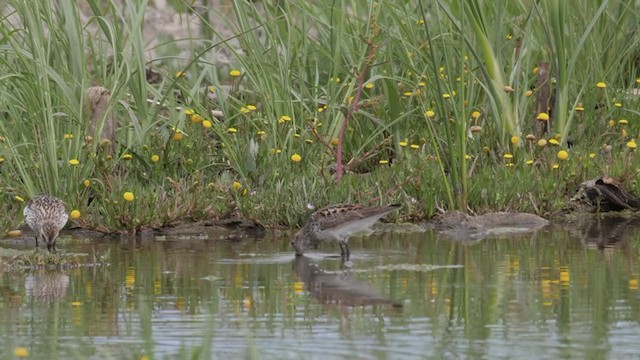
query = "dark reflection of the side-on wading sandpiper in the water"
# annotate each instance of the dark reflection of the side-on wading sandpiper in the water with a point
(338, 288)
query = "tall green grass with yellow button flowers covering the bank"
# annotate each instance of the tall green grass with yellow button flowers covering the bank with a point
(428, 104)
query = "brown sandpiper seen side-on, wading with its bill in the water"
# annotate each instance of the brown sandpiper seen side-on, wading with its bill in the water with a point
(338, 223)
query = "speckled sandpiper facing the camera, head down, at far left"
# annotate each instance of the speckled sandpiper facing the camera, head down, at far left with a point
(46, 216)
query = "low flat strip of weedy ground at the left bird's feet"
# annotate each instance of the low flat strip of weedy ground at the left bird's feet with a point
(11, 259)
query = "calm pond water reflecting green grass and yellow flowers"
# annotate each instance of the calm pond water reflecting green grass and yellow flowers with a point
(566, 291)
